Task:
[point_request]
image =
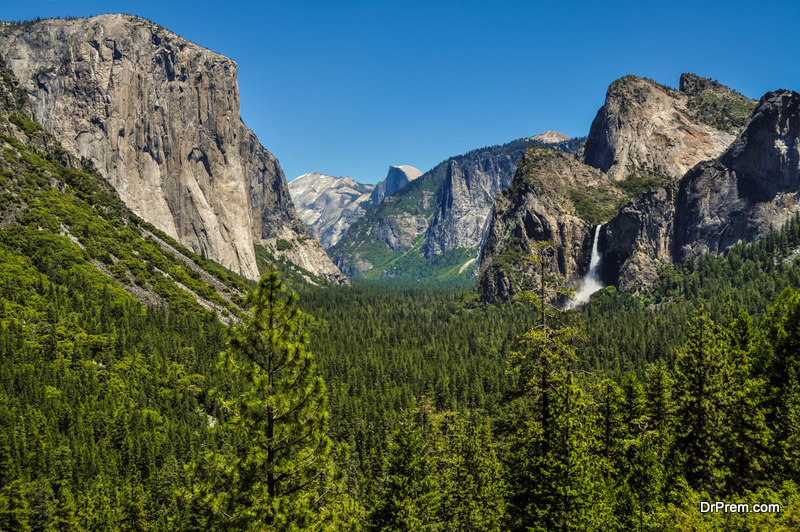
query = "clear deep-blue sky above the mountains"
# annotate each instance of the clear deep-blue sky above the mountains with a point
(348, 88)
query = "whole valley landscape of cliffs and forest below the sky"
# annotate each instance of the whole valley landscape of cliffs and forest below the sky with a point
(554, 333)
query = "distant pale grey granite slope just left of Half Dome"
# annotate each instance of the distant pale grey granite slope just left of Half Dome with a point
(329, 205)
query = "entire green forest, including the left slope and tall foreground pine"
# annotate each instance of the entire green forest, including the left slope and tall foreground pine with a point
(143, 387)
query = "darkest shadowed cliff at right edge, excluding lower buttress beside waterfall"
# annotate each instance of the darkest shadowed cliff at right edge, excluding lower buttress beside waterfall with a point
(755, 184)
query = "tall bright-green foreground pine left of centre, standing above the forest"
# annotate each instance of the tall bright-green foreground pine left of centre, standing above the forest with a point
(283, 475)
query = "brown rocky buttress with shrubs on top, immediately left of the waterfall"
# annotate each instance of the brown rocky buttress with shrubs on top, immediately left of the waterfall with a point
(537, 207)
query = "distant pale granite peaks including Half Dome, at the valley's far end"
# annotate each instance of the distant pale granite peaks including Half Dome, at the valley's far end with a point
(330, 205)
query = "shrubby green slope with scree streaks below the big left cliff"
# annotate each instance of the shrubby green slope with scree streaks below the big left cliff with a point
(62, 222)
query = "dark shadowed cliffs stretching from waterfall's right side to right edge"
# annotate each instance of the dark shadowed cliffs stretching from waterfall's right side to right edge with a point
(754, 185)
